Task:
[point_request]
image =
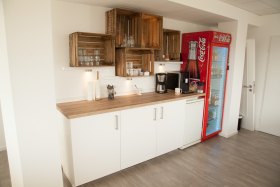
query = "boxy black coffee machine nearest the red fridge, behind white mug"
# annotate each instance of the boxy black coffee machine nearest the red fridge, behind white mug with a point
(176, 79)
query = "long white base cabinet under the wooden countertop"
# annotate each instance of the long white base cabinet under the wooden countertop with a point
(98, 145)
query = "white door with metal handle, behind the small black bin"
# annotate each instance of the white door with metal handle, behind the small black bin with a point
(247, 105)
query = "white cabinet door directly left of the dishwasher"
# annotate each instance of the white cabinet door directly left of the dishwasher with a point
(170, 127)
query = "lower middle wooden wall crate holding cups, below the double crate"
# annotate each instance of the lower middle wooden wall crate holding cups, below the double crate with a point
(141, 57)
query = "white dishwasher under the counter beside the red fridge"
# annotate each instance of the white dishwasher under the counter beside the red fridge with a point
(193, 122)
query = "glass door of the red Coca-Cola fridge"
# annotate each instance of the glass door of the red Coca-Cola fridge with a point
(217, 86)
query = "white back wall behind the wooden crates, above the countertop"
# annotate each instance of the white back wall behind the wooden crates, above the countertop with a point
(71, 17)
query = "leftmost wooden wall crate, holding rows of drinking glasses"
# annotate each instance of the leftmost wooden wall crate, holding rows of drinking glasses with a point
(90, 41)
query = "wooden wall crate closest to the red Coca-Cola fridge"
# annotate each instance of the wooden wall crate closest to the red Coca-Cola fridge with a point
(171, 45)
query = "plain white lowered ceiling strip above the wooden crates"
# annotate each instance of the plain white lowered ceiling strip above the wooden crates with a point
(164, 8)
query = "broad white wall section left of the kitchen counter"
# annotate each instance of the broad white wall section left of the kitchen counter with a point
(29, 46)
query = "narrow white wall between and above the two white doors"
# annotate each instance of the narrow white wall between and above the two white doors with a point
(270, 26)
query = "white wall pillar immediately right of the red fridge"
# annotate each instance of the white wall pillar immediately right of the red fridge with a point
(238, 30)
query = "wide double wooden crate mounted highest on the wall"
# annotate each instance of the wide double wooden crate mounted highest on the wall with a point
(146, 28)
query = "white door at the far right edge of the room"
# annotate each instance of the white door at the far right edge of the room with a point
(270, 116)
